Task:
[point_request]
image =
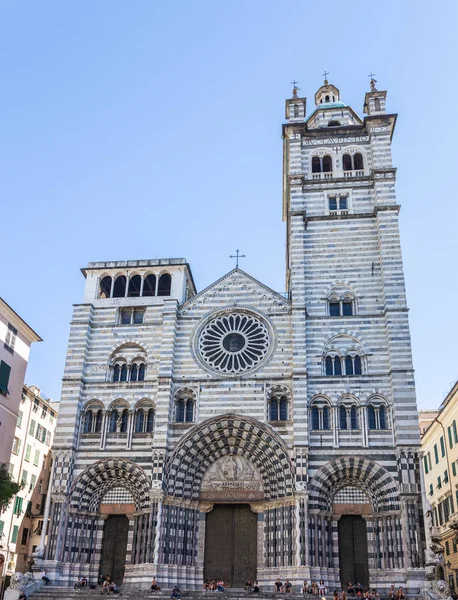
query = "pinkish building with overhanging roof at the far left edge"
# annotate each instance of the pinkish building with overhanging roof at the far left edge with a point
(16, 337)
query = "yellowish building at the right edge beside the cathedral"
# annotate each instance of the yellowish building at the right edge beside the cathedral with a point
(439, 445)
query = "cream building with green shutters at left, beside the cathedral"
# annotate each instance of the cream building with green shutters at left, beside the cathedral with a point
(21, 524)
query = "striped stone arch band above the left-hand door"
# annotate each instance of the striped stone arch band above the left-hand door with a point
(97, 479)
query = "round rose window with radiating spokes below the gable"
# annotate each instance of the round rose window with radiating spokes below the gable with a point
(234, 343)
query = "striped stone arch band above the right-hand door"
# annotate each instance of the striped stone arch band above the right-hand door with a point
(355, 471)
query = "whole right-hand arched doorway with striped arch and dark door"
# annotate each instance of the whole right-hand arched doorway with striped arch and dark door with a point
(358, 500)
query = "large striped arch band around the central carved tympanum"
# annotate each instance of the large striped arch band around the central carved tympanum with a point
(221, 436)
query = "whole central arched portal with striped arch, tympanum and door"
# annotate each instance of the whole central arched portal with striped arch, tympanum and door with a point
(238, 473)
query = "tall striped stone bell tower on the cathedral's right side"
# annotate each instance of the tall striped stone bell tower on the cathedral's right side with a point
(349, 311)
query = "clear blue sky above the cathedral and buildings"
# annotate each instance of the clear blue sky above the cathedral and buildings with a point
(152, 129)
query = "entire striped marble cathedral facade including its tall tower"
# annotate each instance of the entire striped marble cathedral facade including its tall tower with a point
(240, 434)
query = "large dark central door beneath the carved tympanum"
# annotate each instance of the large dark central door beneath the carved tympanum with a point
(231, 544)
